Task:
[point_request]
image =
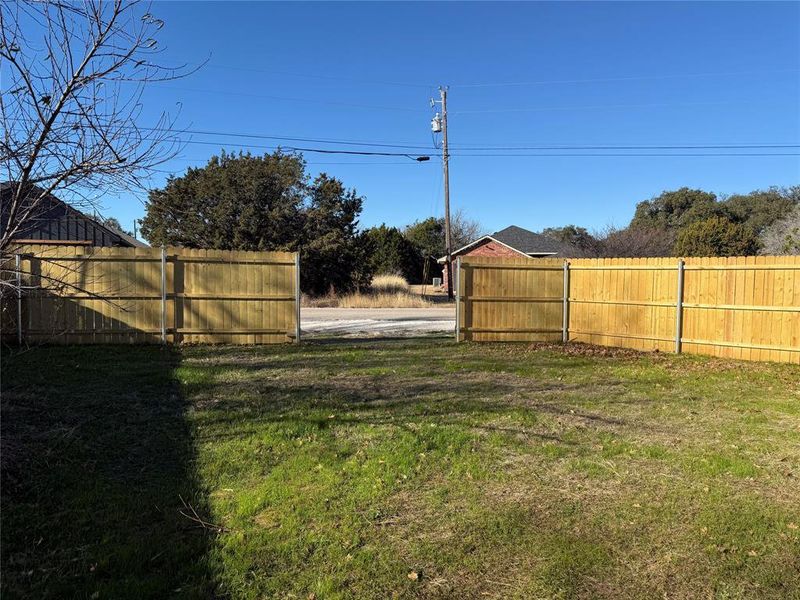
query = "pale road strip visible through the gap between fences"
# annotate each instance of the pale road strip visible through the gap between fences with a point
(354, 322)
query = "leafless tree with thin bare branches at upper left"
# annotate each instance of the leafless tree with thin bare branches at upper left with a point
(73, 78)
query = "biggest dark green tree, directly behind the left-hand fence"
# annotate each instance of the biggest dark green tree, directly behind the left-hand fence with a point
(245, 202)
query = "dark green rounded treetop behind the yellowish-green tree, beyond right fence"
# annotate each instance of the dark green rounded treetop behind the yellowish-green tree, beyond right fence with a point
(674, 210)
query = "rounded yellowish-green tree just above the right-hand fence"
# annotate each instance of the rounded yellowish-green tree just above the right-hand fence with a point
(716, 236)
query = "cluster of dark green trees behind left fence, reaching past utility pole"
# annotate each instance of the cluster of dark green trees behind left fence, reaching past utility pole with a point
(246, 202)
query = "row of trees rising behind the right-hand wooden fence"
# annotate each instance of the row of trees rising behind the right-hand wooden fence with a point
(689, 222)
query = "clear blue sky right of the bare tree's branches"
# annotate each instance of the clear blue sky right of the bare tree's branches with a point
(573, 74)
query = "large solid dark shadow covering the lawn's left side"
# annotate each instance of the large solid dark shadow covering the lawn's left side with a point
(98, 464)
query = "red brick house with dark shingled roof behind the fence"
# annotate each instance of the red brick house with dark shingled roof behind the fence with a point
(511, 241)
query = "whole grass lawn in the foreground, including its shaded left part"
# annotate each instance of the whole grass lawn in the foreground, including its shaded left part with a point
(398, 469)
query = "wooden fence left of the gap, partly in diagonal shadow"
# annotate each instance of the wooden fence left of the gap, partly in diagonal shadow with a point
(77, 295)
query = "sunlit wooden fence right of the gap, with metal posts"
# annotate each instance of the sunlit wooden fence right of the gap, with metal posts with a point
(741, 307)
